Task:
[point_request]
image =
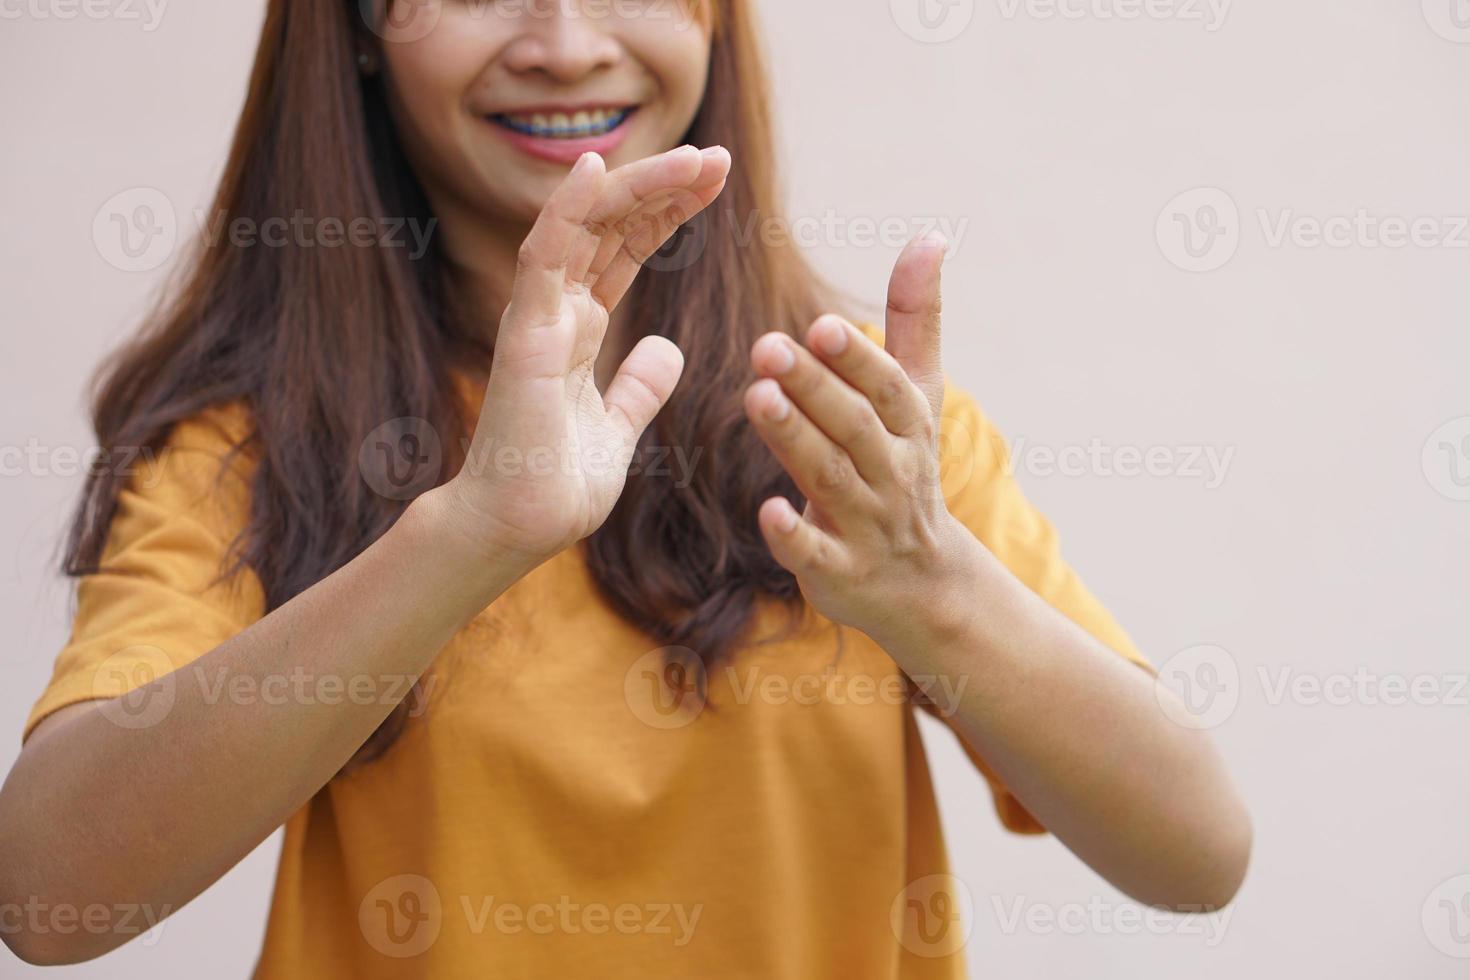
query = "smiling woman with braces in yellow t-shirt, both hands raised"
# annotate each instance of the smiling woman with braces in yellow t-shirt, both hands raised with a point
(414, 572)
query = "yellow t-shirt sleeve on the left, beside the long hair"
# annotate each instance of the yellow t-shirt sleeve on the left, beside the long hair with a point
(159, 599)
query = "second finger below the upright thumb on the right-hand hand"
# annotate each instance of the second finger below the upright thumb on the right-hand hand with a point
(839, 411)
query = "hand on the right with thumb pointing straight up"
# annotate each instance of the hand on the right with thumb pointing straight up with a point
(858, 427)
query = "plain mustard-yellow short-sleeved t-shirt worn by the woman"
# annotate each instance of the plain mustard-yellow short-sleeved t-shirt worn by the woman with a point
(556, 812)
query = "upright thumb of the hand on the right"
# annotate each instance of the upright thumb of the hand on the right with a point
(914, 315)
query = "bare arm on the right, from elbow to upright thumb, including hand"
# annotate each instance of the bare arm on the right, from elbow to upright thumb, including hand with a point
(1072, 728)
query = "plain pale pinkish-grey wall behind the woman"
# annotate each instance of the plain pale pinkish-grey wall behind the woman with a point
(1327, 374)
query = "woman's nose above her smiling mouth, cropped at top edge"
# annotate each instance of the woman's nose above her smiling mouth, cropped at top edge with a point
(562, 40)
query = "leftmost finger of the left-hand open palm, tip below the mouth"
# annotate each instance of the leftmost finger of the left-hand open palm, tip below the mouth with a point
(558, 233)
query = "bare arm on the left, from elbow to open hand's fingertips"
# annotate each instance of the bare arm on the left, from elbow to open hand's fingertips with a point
(98, 813)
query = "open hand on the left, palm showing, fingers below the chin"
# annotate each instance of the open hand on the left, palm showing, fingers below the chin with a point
(551, 453)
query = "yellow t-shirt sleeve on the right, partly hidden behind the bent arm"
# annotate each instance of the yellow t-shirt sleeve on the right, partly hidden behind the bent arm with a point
(983, 493)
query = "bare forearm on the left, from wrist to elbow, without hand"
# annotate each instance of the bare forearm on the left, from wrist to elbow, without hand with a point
(98, 813)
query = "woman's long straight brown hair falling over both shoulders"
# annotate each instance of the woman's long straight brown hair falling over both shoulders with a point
(323, 346)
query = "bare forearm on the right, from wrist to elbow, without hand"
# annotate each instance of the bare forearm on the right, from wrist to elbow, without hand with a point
(1077, 734)
